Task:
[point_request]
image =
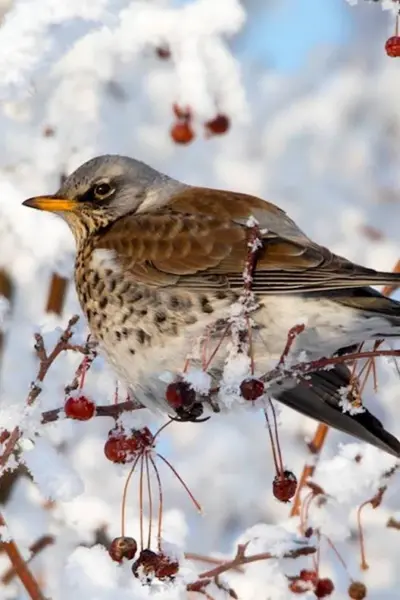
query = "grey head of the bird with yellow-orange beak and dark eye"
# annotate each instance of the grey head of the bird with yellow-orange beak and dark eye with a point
(106, 188)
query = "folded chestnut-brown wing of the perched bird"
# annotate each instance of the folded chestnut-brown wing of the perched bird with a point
(200, 241)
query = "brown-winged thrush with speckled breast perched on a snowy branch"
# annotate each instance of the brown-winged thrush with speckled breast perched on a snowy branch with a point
(159, 261)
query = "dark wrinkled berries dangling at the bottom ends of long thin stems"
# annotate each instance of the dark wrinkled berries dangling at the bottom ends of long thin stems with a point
(148, 565)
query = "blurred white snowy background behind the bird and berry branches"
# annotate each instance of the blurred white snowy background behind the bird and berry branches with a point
(322, 141)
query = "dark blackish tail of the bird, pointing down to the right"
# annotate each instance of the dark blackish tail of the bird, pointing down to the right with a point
(319, 397)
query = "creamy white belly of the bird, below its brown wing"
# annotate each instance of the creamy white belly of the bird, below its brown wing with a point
(328, 327)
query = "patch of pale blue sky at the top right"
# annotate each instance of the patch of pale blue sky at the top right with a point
(285, 35)
